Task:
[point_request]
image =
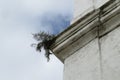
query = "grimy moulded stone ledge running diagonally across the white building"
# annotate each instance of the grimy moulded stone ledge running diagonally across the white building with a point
(85, 29)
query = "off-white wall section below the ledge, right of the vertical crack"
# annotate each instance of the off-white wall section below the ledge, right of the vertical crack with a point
(110, 49)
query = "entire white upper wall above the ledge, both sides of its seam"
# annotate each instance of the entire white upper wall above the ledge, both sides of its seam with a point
(82, 7)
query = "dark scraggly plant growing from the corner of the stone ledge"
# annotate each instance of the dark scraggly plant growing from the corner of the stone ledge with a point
(45, 41)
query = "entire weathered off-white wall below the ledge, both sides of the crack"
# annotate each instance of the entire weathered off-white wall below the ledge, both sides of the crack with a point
(89, 63)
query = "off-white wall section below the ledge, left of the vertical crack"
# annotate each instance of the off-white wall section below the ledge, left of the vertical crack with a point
(84, 64)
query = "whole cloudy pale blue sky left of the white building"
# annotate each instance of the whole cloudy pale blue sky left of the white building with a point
(19, 19)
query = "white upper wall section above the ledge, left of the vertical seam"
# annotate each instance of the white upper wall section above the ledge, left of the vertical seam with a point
(81, 7)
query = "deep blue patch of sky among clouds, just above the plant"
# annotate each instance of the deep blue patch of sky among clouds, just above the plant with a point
(57, 22)
